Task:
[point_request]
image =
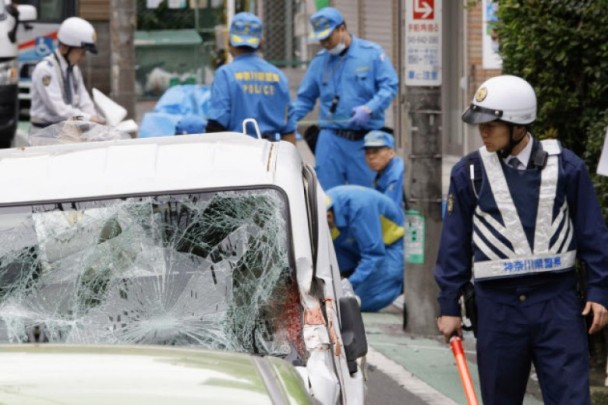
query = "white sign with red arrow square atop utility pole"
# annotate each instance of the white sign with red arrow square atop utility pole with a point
(423, 42)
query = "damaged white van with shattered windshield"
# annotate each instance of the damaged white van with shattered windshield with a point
(213, 241)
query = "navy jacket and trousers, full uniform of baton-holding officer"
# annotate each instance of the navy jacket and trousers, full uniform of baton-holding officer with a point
(528, 310)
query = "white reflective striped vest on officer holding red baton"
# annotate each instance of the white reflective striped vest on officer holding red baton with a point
(520, 258)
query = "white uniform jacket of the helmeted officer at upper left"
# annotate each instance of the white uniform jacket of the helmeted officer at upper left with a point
(51, 94)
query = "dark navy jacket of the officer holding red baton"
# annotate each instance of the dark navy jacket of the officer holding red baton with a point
(467, 215)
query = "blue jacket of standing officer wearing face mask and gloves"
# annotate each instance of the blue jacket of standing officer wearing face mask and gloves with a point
(364, 75)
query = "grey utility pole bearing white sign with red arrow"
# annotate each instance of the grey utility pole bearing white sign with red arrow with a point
(422, 36)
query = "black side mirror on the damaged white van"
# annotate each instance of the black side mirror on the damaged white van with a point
(353, 331)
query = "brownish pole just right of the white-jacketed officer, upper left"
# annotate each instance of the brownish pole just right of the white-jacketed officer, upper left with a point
(122, 53)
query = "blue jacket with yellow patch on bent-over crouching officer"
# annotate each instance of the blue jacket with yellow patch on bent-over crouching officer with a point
(367, 223)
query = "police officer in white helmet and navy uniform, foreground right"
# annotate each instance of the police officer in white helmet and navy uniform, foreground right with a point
(519, 213)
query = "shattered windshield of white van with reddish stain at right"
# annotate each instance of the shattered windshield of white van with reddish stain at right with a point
(209, 269)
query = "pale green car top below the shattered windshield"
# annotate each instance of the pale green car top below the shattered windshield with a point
(71, 374)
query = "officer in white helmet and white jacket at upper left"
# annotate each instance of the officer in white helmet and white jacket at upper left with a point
(58, 91)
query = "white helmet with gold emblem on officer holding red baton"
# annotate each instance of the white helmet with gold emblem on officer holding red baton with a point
(506, 98)
